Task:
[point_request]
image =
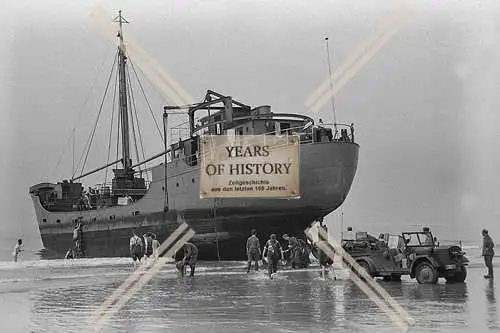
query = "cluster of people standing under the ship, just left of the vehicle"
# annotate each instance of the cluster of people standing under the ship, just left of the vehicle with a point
(297, 253)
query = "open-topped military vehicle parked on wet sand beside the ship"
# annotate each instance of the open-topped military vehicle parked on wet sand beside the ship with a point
(417, 254)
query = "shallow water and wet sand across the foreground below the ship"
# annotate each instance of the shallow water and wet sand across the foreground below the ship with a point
(59, 296)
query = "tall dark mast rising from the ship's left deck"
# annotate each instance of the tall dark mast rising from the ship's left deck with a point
(122, 59)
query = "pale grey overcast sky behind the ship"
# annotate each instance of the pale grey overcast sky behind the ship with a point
(426, 107)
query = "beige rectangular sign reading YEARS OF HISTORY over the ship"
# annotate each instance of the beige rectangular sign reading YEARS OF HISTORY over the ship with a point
(257, 166)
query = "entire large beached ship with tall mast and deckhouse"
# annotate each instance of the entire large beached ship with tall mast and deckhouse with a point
(109, 215)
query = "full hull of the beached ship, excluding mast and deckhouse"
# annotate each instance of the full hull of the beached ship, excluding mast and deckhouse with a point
(221, 226)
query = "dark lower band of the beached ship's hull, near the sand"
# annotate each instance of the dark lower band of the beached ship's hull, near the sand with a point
(216, 238)
